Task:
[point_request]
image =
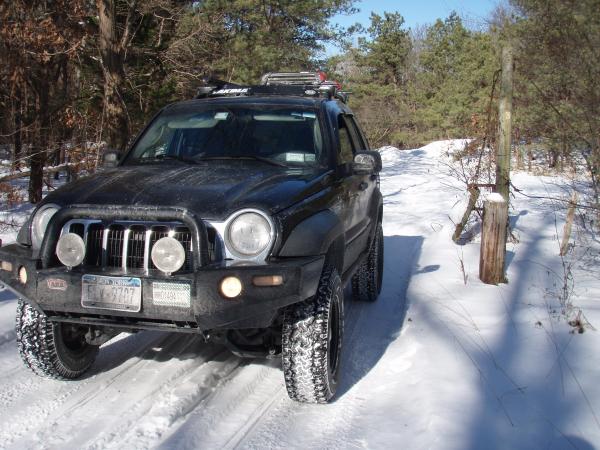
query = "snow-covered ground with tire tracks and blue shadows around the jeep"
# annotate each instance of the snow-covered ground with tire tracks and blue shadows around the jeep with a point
(434, 364)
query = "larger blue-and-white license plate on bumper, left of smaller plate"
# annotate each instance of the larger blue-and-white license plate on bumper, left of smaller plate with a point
(114, 293)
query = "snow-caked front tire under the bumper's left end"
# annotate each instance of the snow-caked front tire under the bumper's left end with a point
(46, 348)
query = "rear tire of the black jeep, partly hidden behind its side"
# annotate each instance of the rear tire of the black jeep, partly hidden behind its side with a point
(366, 282)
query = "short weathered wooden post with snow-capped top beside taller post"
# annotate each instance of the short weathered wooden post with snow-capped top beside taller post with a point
(493, 239)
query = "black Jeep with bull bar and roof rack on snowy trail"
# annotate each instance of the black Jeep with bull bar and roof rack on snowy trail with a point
(239, 215)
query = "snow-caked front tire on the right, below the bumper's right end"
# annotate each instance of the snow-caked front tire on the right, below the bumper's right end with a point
(312, 342)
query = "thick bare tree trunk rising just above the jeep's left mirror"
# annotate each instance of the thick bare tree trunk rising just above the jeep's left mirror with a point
(112, 54)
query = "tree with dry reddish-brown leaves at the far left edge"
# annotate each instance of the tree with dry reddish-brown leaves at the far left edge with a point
(38, 42)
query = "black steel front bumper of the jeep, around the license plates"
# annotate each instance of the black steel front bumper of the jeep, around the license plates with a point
(57, 293)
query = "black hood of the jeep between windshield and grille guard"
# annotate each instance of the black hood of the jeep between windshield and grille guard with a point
(212, 190)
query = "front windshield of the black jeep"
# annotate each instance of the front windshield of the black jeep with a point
(280, 135)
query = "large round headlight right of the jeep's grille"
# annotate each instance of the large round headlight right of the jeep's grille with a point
(249, 234)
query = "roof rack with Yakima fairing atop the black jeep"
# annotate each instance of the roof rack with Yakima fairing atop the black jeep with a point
(302, 84)
